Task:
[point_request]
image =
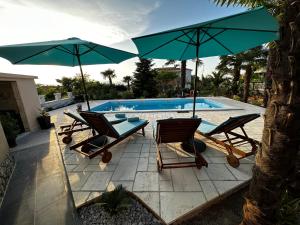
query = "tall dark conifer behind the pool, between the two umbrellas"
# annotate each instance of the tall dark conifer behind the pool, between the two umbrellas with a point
(144, 83)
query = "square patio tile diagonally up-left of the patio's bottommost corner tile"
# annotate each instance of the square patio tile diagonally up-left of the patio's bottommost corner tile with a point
(146, 181)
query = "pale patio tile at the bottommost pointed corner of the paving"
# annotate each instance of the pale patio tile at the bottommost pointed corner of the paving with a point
(175, 204)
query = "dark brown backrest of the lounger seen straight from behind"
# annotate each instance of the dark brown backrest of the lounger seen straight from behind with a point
(176, 130)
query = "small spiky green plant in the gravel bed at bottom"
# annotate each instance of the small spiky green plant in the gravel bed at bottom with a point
(116, 200)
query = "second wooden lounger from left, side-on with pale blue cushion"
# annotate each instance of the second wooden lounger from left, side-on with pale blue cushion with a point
(104, 128)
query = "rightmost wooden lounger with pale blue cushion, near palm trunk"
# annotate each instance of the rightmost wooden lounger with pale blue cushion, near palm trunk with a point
(233, 139)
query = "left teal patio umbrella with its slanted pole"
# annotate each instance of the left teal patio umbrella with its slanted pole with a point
(68, 52)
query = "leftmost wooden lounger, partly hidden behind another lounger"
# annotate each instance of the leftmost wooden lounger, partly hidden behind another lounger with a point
(78, 121)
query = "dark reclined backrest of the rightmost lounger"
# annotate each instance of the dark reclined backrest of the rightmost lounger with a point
(233, 123)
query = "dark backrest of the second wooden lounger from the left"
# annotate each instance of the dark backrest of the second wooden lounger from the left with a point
(98, 122)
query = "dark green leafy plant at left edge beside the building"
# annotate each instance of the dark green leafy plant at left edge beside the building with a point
(10, 128)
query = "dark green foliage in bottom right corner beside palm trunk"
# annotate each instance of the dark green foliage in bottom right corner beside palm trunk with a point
(289, 212)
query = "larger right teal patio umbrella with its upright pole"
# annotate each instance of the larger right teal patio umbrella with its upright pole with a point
(225, 36)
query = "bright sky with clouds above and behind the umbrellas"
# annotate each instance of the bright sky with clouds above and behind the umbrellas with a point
(108, 22)
